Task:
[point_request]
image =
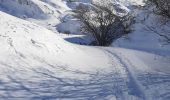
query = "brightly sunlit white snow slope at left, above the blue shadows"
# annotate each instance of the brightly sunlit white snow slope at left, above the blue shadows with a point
(20, 38)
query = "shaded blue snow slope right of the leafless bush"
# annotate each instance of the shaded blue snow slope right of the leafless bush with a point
(141, 38)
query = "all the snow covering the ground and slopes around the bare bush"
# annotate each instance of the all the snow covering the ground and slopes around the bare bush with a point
(39, 63)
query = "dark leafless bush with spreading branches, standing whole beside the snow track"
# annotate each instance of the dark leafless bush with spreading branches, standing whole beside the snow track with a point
(102, 21)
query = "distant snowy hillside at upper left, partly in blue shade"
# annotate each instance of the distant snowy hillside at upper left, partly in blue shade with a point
(43, 12)
